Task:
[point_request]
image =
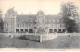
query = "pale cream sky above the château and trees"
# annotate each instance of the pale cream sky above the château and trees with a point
(33, 6)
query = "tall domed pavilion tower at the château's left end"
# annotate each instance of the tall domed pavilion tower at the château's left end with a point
(9, 21)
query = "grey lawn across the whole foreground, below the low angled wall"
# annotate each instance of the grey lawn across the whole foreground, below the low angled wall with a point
(59, 43)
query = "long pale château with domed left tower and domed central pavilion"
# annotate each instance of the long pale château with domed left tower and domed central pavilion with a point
(32, 23)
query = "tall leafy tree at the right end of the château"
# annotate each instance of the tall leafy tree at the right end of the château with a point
(70, 17)
